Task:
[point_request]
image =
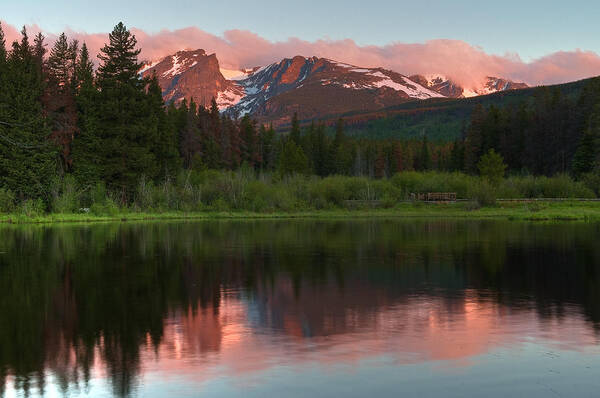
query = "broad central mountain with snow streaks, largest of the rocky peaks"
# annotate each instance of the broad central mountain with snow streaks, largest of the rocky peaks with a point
(321, 84)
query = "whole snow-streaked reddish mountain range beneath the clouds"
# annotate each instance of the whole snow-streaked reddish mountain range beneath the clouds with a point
(313, 87)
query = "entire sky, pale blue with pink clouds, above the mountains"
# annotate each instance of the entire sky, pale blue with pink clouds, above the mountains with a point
(536, 41)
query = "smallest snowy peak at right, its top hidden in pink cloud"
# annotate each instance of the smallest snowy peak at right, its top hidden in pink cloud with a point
(450, 89)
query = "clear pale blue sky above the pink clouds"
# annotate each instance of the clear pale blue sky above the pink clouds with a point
(531, 28)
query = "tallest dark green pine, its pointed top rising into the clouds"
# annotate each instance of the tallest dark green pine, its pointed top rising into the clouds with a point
(126, 129)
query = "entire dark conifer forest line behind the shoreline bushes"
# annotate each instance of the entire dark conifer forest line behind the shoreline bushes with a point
(60, 116)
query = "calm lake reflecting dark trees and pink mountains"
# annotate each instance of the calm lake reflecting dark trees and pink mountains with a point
(301, 308)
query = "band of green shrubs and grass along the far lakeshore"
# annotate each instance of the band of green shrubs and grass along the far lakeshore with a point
(246, 194)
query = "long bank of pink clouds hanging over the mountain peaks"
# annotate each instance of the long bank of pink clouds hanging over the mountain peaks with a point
(466, 64)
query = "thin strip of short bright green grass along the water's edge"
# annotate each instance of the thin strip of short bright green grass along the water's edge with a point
(537, 211)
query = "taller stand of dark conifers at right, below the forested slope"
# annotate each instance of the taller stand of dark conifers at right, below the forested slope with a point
(549, 134)
